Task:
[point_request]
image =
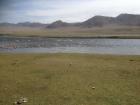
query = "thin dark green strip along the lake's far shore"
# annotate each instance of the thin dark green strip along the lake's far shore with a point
(76, 36)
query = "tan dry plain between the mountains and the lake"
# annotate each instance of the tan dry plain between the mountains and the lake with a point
(121, 31)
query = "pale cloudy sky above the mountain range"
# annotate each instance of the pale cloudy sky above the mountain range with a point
(48, 11)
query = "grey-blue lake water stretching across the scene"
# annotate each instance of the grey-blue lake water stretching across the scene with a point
(69, 45)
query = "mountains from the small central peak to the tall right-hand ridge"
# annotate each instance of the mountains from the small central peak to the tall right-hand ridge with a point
(99, 21)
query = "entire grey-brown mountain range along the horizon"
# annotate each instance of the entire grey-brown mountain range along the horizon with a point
(96, 21)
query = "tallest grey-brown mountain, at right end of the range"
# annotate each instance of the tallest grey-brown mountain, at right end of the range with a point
(122, 19)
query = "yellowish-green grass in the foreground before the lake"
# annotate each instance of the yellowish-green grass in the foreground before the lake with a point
(68, 79)
